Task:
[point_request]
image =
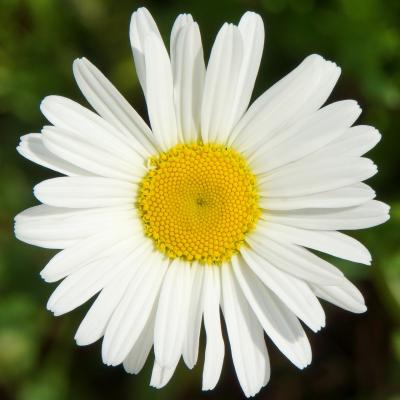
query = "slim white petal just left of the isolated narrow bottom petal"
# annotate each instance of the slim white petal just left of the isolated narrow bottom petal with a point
(191, 342)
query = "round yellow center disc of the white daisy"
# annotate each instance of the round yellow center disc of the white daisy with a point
(198, 202)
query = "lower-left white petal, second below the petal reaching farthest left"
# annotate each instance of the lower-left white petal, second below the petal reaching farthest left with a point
(84, 283)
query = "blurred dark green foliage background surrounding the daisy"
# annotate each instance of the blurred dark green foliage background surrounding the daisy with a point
(357, 357)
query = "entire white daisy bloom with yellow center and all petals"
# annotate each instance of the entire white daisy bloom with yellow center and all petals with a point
(214, 207)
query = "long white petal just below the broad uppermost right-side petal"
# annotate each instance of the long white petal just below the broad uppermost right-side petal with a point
(311, 133)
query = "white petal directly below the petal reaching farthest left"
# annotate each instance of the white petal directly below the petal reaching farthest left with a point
(83, 251)
